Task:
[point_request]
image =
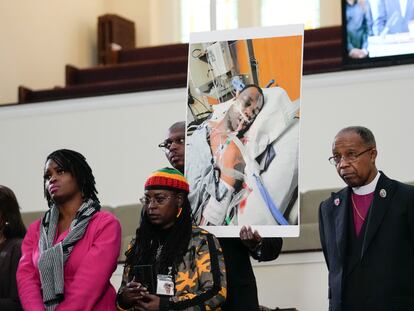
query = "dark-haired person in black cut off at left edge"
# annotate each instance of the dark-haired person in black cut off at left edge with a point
(12, 231)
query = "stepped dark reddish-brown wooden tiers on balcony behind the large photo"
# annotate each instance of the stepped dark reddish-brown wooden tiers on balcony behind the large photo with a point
(163, 67)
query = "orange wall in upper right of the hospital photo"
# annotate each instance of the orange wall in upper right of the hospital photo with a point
(280, 59)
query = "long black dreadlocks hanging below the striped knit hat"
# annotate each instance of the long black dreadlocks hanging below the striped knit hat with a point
(175, 246)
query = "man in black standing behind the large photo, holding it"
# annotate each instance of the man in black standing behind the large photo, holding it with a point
(241, 282)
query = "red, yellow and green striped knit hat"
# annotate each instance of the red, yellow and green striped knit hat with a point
(167, 178)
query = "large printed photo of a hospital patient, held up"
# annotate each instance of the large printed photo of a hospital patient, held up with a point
(242, 145)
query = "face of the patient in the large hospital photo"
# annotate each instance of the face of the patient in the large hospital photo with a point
(245, 109)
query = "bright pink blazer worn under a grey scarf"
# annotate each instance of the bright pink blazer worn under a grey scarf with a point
(86, 272)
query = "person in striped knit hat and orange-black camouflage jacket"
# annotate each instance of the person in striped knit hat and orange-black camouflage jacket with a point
(186, 261)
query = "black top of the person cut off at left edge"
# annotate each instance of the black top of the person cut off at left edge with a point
(10, 253)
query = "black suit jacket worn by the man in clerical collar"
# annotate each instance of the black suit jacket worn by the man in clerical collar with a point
(381, 275)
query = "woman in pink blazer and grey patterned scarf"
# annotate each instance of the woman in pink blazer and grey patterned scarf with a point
(69, 255)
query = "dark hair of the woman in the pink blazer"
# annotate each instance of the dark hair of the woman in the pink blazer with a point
(75, 163)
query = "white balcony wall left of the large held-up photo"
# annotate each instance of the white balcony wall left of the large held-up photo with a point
(117, 134)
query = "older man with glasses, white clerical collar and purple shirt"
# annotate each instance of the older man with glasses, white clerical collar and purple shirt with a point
(367, 231)
